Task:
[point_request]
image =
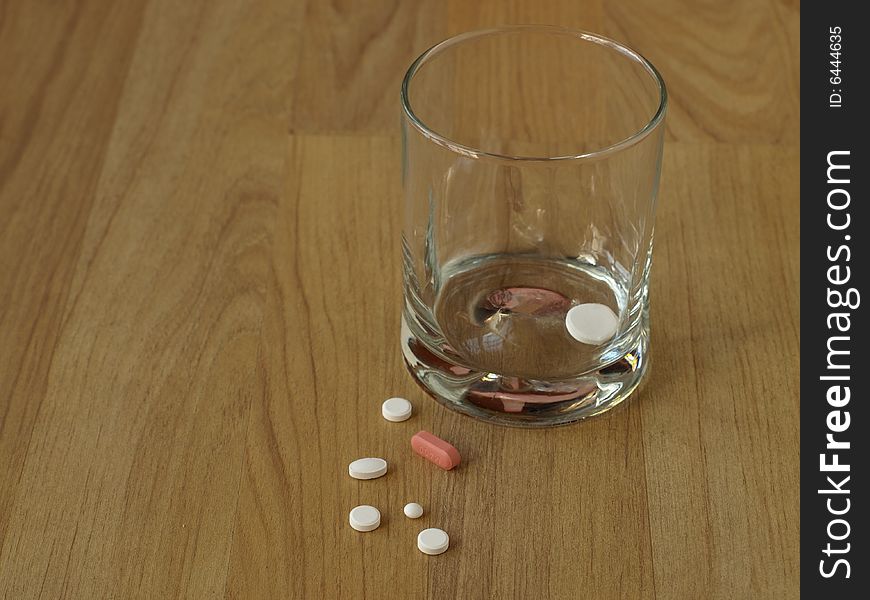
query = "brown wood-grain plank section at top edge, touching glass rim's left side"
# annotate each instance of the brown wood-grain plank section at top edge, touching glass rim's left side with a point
(351, 61)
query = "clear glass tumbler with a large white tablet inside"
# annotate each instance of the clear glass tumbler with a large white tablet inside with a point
(531, 161)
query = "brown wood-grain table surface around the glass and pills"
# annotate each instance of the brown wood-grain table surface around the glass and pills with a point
(200, 289)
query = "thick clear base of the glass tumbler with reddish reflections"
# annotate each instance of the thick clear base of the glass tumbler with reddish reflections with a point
(520, 402)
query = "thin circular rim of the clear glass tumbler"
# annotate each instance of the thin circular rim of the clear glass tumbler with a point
(587, 36)
